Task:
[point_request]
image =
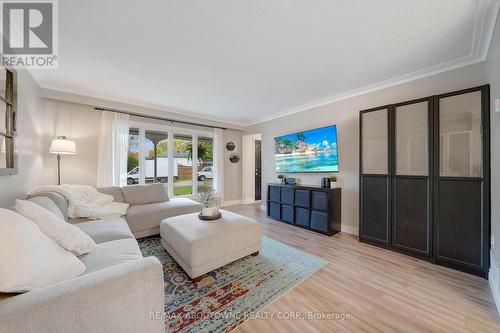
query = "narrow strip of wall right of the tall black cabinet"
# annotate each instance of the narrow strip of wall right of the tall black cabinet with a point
(493, 76)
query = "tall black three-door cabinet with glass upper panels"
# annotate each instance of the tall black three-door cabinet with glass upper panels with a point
(425, 178)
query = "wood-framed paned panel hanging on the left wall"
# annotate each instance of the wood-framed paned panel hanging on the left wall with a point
(8, 165)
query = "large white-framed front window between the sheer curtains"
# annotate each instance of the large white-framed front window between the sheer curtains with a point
(164, 154)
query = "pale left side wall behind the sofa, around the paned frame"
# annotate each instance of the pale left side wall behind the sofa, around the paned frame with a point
(28, 143)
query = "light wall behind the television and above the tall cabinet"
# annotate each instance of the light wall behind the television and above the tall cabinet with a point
(345, 114)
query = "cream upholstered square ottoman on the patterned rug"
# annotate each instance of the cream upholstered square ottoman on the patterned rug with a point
(202, 246)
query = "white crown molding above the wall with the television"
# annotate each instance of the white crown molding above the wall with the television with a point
(484, 25)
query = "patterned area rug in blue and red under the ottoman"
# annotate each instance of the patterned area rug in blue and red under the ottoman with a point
(227, 296)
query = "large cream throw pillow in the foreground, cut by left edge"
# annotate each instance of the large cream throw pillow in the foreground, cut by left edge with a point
(29, 259)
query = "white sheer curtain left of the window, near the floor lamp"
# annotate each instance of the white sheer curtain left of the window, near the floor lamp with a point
(112, 149)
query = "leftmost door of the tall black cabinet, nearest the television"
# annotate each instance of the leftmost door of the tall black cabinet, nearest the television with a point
(374, 176)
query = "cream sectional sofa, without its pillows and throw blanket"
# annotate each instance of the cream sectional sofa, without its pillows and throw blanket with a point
(120, 291)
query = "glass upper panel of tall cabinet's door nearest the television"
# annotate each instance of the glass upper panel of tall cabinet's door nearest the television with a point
(375, 142)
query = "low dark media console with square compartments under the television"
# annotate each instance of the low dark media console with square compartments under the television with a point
(310, 207)
